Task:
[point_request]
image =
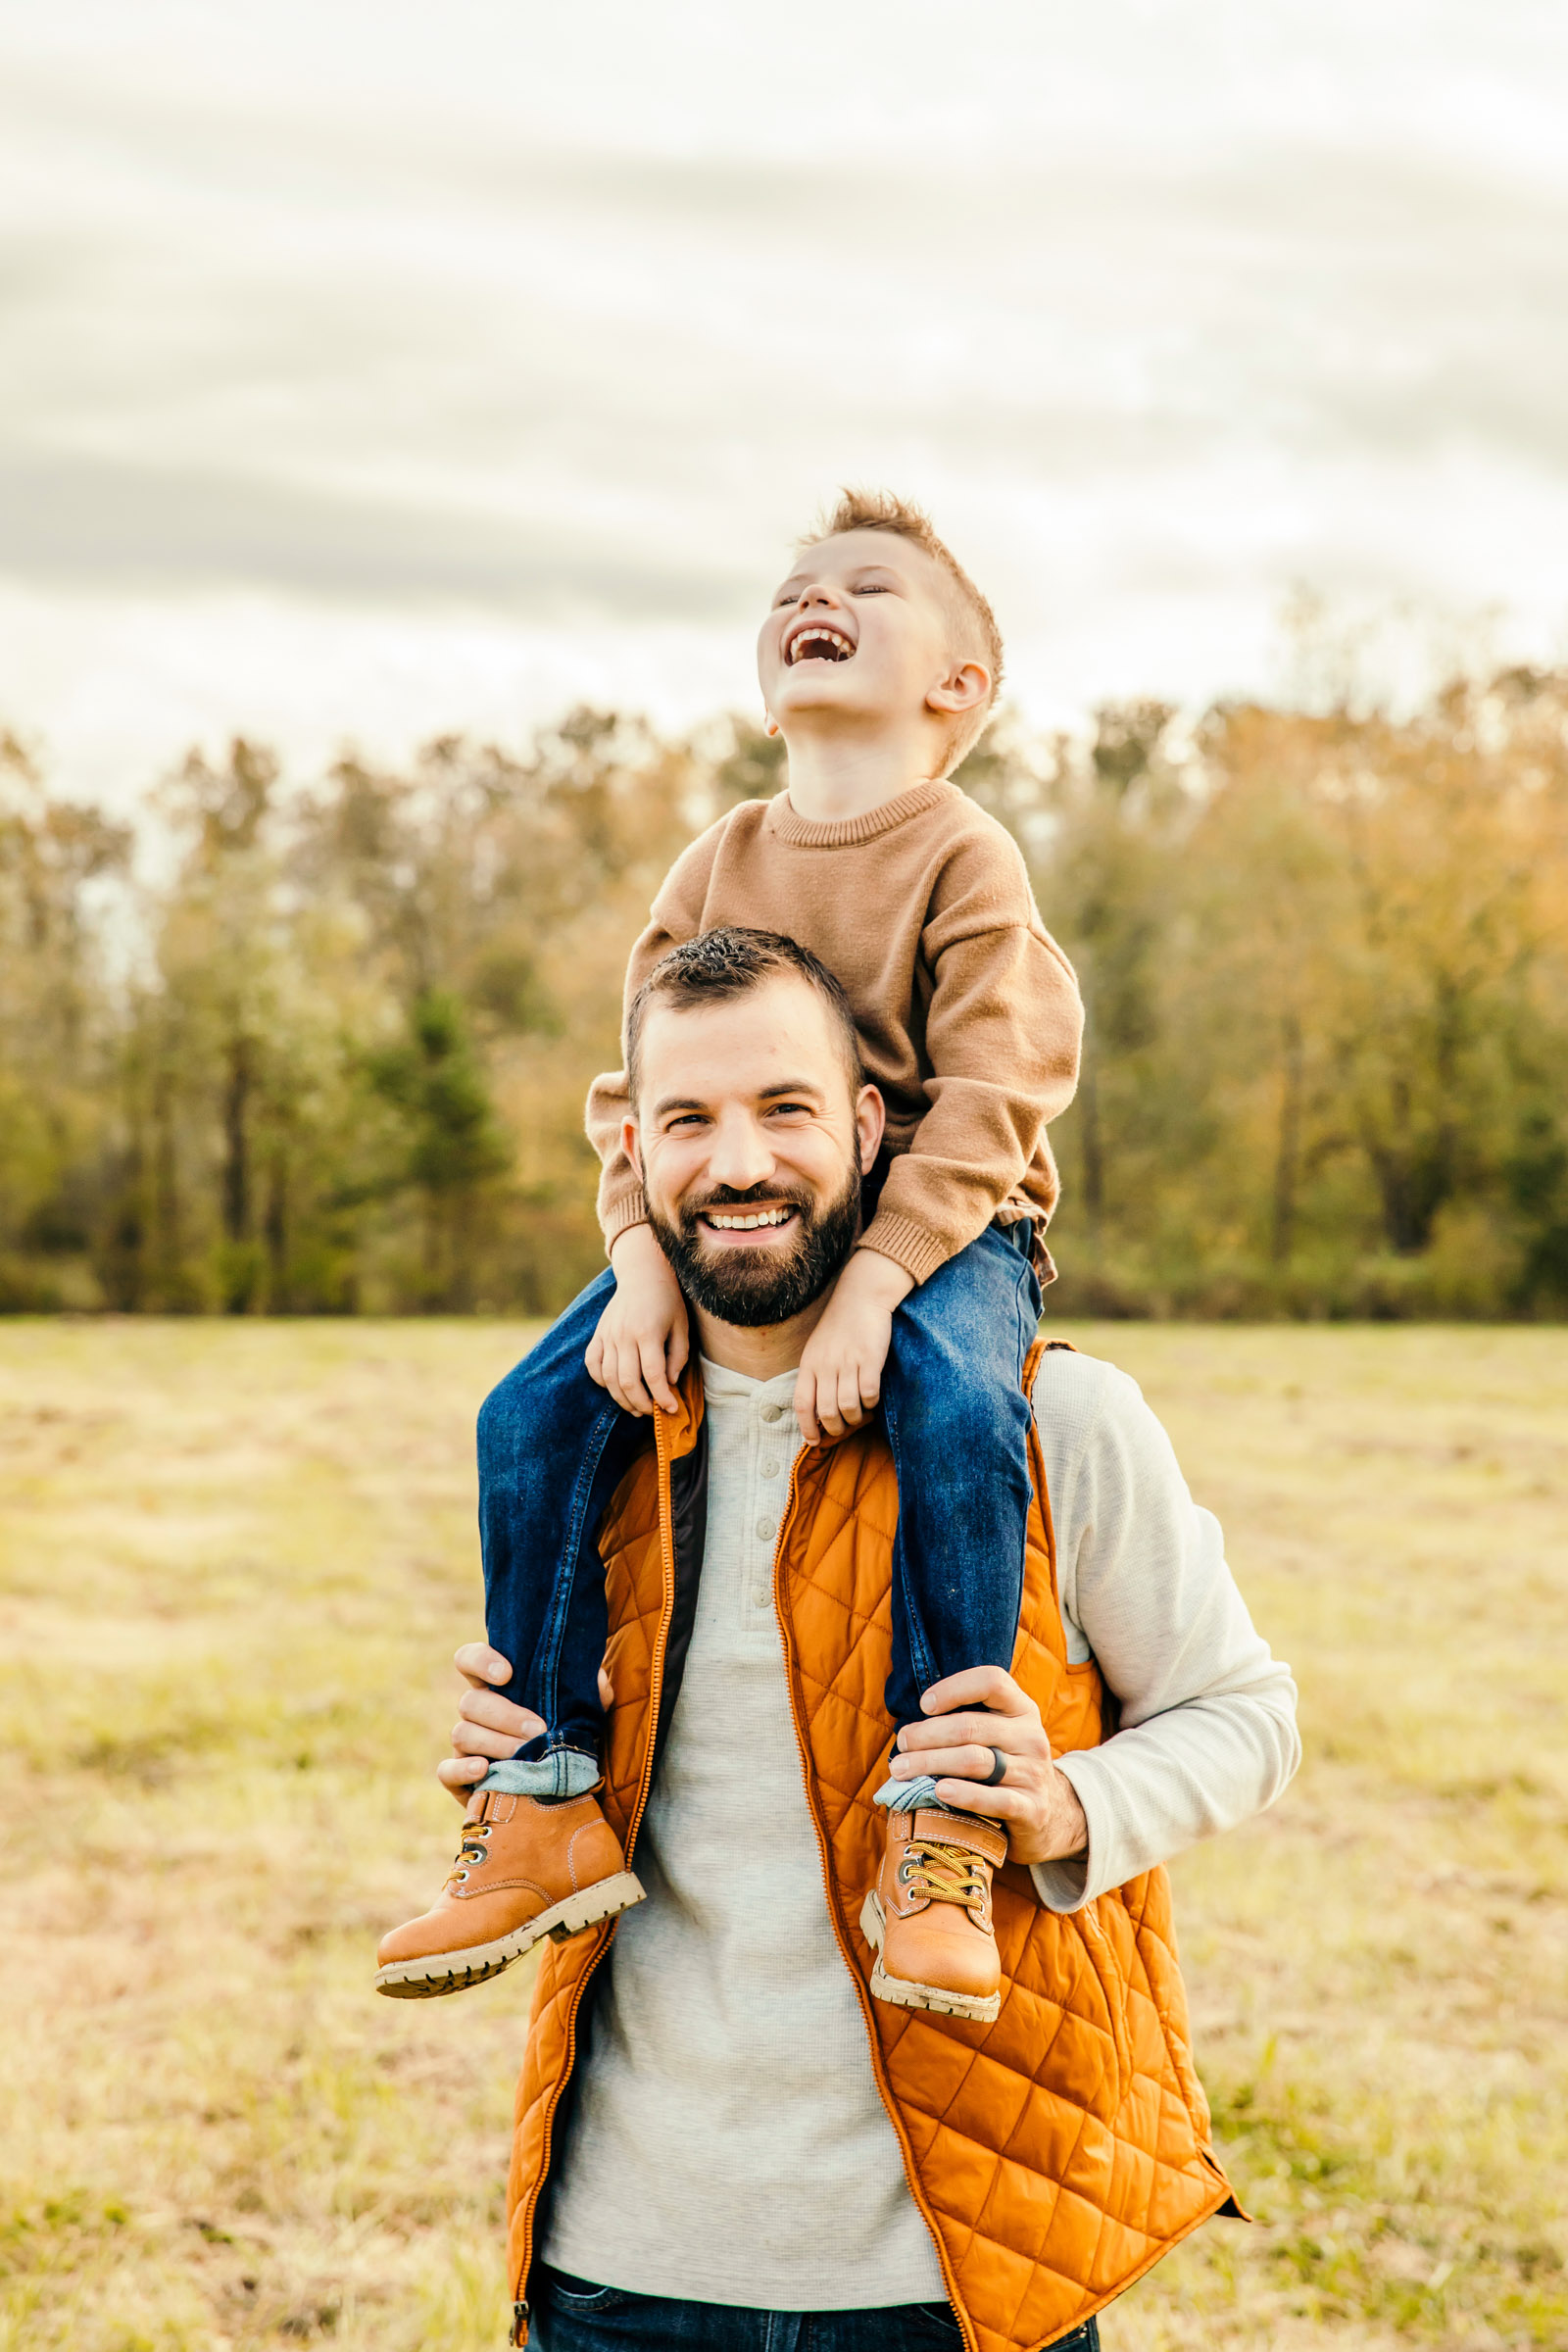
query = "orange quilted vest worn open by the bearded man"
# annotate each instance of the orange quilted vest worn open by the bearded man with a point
(1057, 2153)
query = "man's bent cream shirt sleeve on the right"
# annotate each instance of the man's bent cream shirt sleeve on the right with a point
(1207, 1711)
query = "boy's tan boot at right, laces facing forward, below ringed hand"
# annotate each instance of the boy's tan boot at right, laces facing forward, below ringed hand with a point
(930, 1916)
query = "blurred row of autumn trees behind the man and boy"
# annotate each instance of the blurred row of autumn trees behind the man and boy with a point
(333, 1057)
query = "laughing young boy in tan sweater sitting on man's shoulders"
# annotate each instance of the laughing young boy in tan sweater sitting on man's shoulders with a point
(880, 664)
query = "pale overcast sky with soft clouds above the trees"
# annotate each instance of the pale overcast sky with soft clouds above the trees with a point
(370, 370)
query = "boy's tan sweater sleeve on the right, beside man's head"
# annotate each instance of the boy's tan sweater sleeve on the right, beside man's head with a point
(1003, 1034)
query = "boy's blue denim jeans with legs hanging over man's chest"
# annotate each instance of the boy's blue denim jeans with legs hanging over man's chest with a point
(554, 1450)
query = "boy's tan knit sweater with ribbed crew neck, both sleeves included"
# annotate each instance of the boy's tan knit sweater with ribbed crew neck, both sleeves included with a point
(970, 1015)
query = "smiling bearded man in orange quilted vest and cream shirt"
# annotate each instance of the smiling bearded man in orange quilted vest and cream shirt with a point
(723, 2139)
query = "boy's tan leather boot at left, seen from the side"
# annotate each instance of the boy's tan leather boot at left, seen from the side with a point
(525, 1871)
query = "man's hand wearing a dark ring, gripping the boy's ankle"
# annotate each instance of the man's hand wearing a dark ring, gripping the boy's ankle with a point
(1038, 1803)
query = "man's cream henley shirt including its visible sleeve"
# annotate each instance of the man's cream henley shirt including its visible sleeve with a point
(728, 2141)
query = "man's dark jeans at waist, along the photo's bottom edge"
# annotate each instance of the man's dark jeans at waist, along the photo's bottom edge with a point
(579, 2318)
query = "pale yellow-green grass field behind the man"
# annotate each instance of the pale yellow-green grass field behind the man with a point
(234, 1563)
